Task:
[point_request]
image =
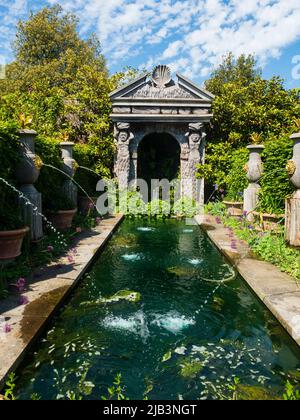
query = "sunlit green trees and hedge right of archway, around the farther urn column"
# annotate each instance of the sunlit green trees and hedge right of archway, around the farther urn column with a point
(246, 104)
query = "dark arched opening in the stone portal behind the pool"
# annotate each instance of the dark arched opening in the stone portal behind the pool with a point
(158, 157)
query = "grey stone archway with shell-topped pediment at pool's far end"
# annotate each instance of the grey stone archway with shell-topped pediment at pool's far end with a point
(159, 105)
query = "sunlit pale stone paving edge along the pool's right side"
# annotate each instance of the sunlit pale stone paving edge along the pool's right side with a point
(279, 292)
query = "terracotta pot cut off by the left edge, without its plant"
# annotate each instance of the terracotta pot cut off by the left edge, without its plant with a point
(11, 243)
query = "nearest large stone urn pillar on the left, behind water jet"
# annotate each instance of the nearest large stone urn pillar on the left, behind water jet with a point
(27, 173)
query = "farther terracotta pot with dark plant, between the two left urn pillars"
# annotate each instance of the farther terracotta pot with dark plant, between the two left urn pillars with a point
(60, 210)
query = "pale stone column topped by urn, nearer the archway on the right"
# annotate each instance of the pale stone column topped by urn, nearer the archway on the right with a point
(254, 169)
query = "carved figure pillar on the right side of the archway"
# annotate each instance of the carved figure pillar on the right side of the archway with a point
(196, 136)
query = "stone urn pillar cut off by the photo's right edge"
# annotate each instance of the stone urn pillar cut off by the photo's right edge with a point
(292, 213)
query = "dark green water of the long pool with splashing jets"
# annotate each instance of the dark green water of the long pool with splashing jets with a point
(184, 334)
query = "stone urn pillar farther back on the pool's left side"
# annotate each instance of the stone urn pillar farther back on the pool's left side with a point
(69, 167)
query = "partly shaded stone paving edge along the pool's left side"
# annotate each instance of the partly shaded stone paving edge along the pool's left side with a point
(48, 288)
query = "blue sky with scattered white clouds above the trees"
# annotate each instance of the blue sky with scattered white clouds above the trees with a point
(189, 35)
